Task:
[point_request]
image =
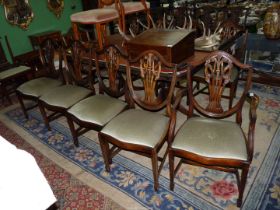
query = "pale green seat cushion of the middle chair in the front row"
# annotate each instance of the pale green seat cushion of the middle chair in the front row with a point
(97, 109)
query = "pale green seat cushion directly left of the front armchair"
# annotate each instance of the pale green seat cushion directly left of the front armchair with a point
(138, 127)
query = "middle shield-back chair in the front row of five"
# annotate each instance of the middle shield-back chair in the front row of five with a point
(94, 112)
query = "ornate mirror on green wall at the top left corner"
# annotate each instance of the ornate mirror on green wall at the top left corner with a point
(18, 12)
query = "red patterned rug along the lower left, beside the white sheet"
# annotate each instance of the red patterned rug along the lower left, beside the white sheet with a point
(70, 192)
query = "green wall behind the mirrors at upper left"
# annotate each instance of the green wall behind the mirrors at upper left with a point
(44, 20)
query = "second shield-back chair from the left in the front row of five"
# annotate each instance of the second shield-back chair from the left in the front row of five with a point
(60, 99)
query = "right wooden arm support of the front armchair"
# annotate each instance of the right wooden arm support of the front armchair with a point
(253, 100)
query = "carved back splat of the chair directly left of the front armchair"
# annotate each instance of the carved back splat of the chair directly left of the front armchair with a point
(150, 68)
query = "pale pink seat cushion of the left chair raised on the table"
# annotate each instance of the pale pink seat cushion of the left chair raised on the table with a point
(95, 16)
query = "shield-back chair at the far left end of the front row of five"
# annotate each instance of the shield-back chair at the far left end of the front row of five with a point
(49, 75)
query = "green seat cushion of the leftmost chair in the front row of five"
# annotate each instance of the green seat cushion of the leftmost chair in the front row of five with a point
(38, 87)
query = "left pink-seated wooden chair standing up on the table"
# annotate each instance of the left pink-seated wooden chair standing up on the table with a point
(106, 12)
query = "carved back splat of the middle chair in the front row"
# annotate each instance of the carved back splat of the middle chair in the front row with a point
(112, 64)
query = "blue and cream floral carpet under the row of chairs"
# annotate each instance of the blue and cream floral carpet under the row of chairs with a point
(196, 188)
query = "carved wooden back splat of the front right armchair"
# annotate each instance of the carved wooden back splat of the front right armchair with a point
(217, 74)
